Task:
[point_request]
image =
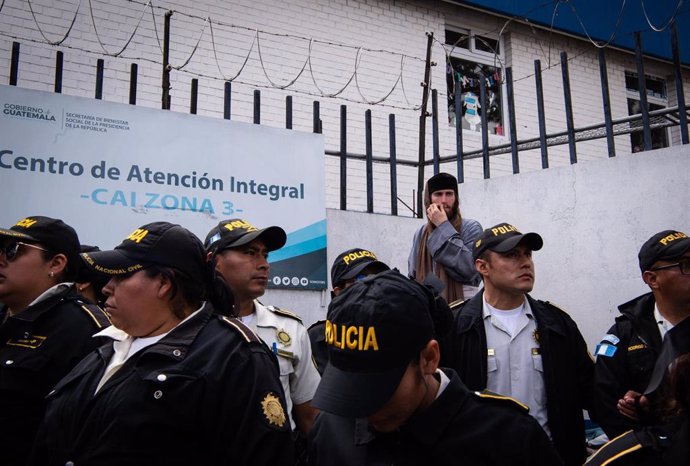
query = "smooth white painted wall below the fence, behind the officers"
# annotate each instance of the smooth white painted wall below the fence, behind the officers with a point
(593, 217)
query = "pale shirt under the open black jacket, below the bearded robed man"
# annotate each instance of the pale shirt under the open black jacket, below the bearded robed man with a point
(514, 364)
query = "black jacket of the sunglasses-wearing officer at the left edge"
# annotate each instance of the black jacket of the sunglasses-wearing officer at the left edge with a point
(37, 348)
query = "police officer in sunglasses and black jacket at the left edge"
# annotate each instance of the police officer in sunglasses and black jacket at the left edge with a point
(45, 326)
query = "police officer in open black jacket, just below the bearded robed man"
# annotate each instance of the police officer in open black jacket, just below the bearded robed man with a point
(507, 342)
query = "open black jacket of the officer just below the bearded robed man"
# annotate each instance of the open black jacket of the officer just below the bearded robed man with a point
(568, 368)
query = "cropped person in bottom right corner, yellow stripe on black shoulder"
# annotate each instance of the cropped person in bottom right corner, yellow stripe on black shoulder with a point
(667, 444)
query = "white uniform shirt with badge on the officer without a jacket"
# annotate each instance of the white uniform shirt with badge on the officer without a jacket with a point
(288, 339)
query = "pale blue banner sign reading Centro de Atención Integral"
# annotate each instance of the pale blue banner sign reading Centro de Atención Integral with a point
(108, 168)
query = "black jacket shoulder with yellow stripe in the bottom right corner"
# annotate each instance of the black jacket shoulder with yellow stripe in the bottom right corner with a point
(667, 445)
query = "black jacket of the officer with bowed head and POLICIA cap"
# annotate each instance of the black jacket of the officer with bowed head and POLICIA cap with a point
(459, 427)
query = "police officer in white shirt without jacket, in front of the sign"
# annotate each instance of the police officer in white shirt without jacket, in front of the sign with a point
(239, 252)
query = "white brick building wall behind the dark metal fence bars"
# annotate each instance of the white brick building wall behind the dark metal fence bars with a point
(381, 25)
